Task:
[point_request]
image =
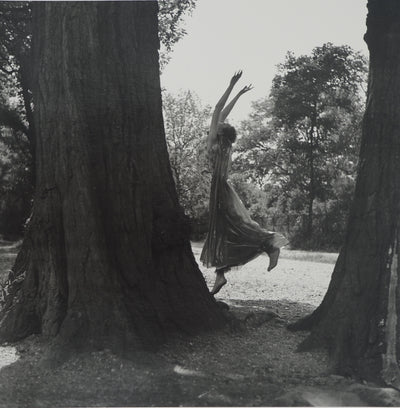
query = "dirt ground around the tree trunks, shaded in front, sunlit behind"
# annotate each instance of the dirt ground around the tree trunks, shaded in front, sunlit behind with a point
(256, 366)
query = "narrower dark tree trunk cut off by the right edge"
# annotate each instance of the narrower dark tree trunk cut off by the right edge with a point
(358, 318)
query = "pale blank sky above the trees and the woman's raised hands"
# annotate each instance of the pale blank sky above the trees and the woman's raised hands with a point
(255, 35)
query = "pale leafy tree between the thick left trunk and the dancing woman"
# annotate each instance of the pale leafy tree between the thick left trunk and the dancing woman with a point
(186, 123)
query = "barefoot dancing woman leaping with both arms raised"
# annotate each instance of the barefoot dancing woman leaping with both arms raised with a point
(233, 238)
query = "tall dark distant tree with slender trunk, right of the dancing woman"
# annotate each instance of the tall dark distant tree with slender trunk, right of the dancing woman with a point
(312, 96)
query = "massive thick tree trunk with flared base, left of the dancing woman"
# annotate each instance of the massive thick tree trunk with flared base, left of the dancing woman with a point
(107, 258)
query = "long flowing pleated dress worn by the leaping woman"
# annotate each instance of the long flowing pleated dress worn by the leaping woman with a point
(233, 238)
